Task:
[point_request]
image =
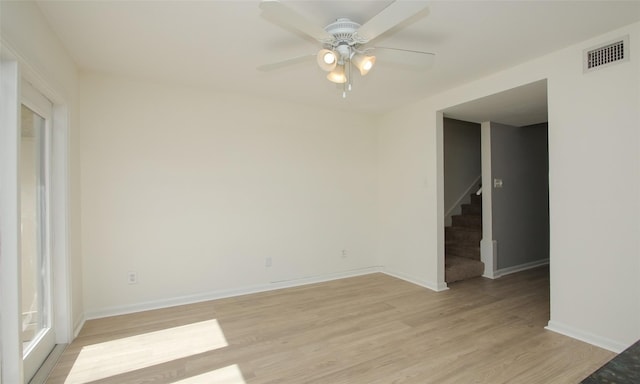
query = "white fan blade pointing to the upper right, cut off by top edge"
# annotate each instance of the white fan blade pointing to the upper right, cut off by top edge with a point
(393, 15)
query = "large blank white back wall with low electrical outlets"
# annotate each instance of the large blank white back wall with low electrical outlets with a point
(193, 190)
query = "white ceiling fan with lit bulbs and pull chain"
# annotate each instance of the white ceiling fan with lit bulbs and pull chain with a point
(344, 41)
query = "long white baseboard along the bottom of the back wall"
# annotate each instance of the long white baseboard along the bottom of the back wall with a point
(225, 293)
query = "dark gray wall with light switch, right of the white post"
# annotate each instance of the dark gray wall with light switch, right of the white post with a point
(520, 209)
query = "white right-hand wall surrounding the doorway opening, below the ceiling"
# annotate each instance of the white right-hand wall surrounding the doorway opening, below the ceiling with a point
(594, 147)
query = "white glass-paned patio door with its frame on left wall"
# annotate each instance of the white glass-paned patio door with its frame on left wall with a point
(34, 203)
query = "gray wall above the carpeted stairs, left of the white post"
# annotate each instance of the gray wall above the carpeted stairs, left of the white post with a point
(462, 162)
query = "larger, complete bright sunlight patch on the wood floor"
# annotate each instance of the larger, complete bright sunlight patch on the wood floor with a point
(116, 357)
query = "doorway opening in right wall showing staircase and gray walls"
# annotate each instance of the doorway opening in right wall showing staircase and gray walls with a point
(510, 230)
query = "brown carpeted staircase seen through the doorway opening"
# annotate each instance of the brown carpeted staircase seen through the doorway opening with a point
(462, 243)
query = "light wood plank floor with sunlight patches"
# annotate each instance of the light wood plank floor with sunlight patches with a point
(367, 329)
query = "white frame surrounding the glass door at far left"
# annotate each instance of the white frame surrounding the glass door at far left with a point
(14, 69)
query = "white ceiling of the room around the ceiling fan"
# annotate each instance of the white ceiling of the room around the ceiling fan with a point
(219, 44)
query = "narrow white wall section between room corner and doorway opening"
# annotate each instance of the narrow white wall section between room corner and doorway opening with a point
(408, 223)
